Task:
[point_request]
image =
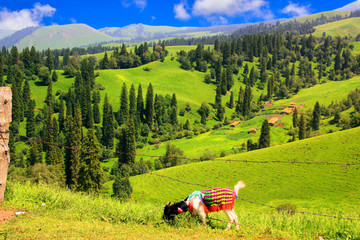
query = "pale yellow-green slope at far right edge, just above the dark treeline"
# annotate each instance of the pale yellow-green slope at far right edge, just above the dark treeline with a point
(346, 27)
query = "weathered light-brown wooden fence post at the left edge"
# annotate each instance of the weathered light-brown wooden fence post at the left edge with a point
(5, 120)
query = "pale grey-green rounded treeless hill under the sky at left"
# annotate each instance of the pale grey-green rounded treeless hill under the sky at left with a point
(55, 37)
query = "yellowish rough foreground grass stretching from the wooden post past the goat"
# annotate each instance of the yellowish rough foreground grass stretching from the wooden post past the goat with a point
(55, 213)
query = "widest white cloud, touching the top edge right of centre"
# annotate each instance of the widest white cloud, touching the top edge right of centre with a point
(228, 8)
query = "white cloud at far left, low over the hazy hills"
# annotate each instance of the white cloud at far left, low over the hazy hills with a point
(17, 20)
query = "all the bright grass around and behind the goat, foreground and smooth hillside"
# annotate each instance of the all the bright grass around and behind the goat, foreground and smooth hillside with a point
(321, 189)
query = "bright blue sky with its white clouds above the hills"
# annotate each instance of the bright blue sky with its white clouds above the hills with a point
(17, 14)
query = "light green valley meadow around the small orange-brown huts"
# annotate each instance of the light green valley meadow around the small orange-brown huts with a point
(213, 143)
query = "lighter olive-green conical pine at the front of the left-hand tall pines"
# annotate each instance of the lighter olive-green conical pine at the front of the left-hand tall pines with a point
(90, 175)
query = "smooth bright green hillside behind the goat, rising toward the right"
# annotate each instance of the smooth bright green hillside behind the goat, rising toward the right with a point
(332, 190)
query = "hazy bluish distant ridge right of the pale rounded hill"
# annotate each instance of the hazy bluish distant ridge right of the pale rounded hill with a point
(136, 31)
